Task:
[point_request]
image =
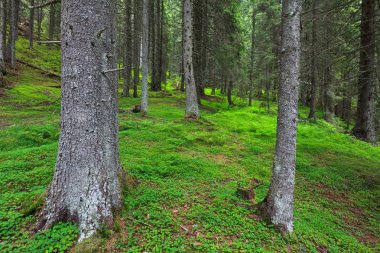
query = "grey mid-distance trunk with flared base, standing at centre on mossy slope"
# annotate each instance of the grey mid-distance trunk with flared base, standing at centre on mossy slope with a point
(192, 108)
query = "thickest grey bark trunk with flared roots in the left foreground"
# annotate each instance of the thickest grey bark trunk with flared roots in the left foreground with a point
(86, 187)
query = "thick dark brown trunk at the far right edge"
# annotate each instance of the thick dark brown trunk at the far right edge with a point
(365, 124)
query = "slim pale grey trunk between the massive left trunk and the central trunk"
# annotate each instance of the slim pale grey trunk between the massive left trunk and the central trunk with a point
(145, 57)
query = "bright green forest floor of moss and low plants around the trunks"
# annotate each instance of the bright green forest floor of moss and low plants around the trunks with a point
(183, 176)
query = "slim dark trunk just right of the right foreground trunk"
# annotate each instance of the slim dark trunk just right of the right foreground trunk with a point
(313, 102)
